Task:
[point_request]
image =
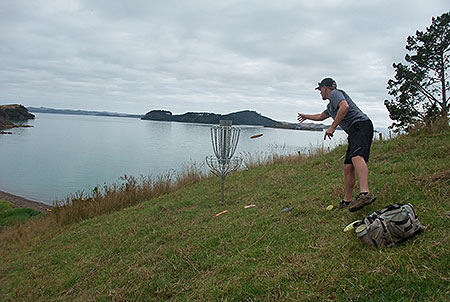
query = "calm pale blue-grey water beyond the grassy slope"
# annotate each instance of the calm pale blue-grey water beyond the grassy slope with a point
(63, 154)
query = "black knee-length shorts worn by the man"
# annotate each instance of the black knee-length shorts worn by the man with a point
(359, 141)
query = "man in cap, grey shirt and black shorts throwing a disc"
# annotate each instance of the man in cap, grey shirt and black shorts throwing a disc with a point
(359, 128)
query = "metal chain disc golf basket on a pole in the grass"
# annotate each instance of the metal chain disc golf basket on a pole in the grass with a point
(224, 140)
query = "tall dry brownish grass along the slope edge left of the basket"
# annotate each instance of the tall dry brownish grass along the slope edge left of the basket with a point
(101, 200)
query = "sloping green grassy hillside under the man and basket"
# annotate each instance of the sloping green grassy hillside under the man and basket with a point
(174, 248)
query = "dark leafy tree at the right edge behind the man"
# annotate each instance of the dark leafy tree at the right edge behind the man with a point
(420, 87)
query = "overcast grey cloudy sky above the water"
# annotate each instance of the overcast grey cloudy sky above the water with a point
(210, 56)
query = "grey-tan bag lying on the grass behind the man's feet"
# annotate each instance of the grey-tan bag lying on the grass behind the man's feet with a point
(392, 225)
